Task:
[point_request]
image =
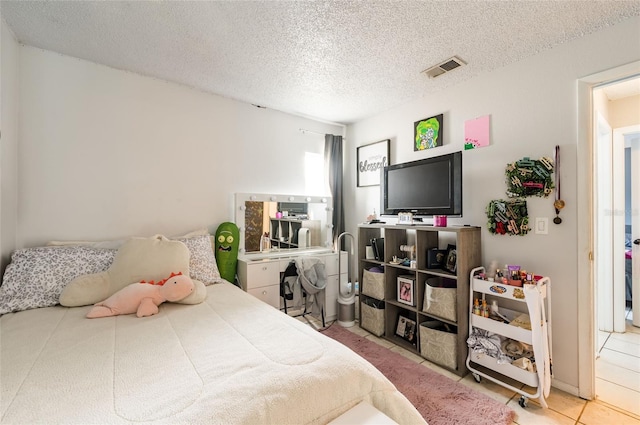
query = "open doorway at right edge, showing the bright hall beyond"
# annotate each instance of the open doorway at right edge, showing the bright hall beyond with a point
(615, 221)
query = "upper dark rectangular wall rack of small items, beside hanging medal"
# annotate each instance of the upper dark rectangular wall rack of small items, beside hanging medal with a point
(529, 177)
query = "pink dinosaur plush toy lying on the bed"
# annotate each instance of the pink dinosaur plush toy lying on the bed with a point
(143, 298)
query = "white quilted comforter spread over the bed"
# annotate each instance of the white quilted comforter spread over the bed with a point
(229, 360)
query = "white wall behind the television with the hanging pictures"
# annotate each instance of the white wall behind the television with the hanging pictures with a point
(533, 107)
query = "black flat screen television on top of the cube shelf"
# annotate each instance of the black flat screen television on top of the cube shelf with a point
(427, 187)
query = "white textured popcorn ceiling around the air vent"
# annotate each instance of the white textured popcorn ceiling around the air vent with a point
(338, 61)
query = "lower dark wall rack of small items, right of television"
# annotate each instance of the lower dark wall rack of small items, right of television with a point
(508, 217)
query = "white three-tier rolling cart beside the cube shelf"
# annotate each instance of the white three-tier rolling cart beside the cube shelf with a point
(513, 301)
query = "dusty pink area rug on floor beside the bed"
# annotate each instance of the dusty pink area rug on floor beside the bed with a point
(440, 400)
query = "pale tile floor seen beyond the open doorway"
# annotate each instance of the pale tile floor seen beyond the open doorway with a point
(618, 368)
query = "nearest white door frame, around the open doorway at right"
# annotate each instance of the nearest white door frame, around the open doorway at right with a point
(584, 200)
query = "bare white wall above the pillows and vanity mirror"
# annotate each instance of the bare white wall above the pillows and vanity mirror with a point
(109, 154)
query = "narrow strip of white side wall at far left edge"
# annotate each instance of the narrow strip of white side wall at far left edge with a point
(8, 142)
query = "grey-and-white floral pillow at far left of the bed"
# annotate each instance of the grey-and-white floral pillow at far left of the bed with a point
(36, 276)
